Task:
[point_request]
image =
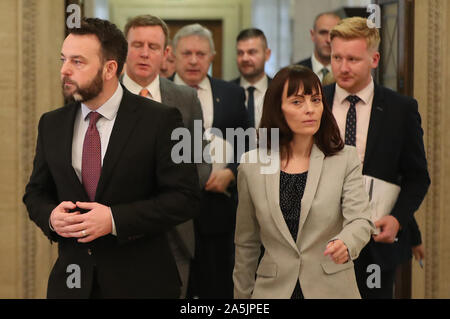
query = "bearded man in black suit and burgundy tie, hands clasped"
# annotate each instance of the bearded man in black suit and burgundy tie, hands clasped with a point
(104, 186)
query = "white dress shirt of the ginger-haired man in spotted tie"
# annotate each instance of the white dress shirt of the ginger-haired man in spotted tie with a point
(363, 109)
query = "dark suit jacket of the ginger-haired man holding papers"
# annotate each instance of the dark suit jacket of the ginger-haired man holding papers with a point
(394, 153)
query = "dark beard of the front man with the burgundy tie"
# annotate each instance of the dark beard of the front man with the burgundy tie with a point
(83, 93)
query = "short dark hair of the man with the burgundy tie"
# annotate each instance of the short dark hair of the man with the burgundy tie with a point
(112, 42)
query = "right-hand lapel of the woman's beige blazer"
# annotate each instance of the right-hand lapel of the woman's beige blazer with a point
(314, 172)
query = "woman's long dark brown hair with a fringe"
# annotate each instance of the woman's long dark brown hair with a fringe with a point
(327, 137)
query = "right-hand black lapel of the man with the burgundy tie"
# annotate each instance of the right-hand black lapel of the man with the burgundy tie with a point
(123, 126)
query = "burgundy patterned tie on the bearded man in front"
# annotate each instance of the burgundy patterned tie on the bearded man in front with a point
(91, 160)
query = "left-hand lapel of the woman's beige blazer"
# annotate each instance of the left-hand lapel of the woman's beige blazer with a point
(273, 197)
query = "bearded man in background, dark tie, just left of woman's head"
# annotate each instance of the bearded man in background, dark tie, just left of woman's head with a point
(252, 55)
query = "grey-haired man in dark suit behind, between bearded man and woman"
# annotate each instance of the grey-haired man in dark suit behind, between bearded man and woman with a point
(223, 106)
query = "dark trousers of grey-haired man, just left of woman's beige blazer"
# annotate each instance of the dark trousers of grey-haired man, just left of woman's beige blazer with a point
(213, 266)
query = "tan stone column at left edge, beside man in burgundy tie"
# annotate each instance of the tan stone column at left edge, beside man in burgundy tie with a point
(31, 35)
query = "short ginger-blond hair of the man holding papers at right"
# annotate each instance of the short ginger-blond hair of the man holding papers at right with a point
(354, 28)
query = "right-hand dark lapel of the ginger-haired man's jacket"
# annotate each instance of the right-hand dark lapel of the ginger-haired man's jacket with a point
(377, 115)
